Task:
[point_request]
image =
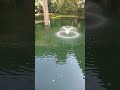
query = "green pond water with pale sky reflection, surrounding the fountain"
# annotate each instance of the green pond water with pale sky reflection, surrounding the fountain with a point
(59, 63)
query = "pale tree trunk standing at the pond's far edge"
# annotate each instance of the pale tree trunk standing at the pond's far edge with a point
(46, 12)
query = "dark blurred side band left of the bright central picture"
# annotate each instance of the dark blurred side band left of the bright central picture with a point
(16, 45)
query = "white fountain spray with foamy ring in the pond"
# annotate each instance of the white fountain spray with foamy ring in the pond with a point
(68, 32)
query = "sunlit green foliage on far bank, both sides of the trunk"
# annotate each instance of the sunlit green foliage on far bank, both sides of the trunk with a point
(65, 7)
